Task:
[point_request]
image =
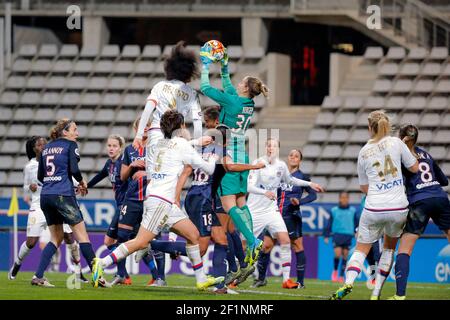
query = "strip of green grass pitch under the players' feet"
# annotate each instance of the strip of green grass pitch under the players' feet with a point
(182, 288)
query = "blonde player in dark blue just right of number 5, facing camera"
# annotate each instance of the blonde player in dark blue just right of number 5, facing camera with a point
(115, 145)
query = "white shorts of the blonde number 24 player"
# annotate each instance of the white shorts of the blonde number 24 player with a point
(373, 225)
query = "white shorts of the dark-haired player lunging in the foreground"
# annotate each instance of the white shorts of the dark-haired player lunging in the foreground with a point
(159, 213)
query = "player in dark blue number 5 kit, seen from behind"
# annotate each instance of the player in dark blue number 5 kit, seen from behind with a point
(58, 164)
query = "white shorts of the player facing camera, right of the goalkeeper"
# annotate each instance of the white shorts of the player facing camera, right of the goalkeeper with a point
(267, 219)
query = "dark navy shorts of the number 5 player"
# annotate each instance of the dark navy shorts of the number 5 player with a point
(61, 209)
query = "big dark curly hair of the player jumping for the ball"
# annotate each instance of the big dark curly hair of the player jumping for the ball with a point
(182, 64)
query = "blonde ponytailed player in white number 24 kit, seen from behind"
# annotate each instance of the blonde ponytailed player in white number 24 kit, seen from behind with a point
(386, 207)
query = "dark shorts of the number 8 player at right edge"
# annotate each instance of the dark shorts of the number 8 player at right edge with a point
(421, 211)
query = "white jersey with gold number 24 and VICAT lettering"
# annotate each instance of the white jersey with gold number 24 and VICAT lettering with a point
(379, 166)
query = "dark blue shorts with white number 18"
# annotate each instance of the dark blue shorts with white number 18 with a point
(200, 209)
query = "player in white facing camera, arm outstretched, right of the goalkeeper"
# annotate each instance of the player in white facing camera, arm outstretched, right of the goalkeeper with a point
(262, 201)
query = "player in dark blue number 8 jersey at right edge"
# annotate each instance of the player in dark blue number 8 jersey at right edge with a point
(426, 199)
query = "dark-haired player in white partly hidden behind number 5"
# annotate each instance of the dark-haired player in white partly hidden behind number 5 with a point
(36, 225)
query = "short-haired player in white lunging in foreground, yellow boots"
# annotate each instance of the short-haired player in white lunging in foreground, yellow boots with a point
(171, 154)
